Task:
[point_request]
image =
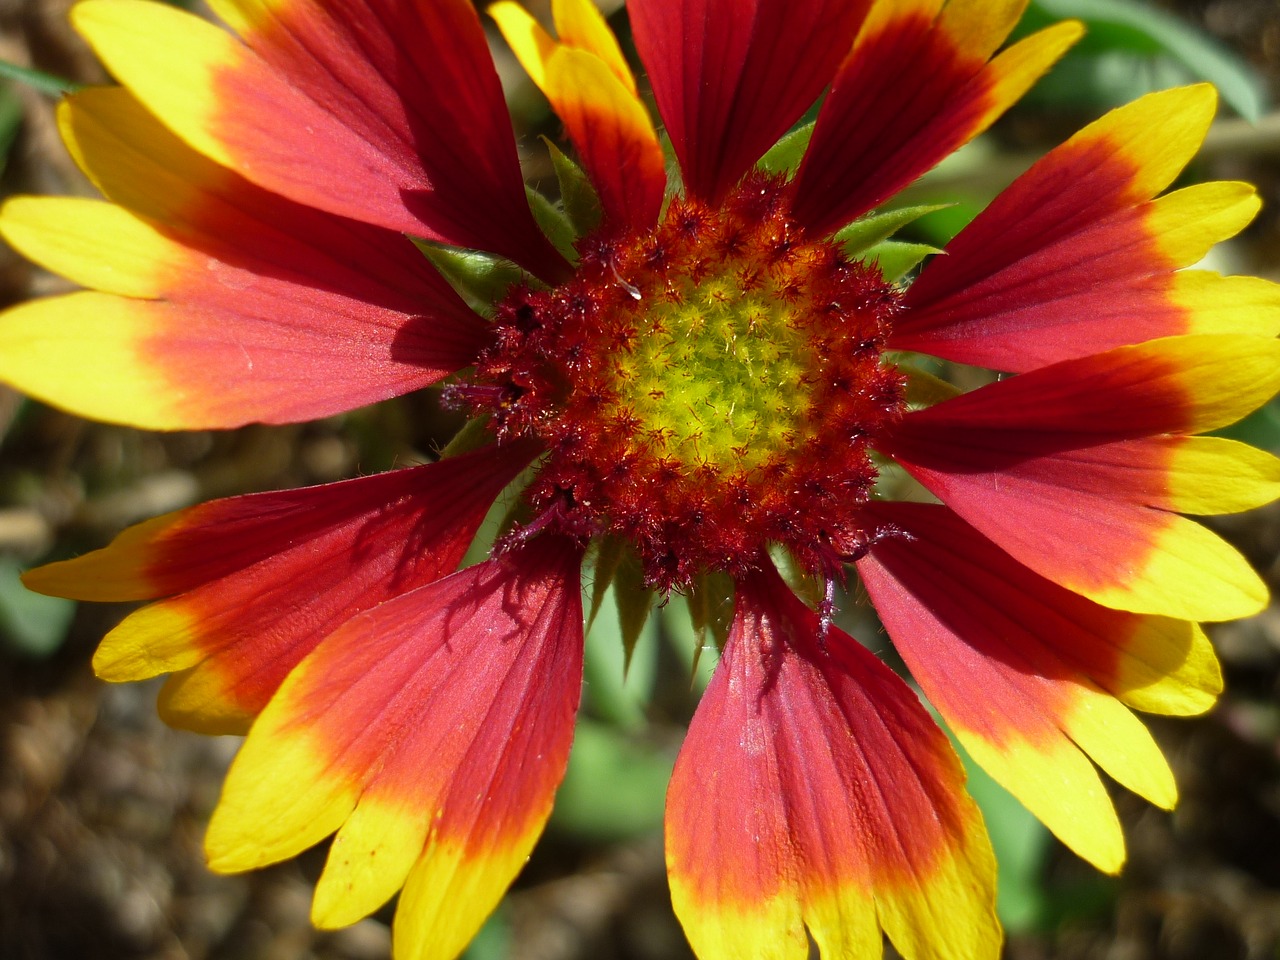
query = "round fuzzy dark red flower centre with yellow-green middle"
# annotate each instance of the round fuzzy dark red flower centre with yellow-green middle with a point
(705, 390)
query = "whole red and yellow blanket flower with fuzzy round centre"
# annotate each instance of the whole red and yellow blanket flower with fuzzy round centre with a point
(703, 373)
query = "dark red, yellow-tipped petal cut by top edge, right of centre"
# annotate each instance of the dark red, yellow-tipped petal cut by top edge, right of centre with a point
(889, 120)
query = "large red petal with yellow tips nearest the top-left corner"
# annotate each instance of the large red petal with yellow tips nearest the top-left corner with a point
(337, 107)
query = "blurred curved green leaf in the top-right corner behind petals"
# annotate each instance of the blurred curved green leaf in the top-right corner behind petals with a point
(1135, 47)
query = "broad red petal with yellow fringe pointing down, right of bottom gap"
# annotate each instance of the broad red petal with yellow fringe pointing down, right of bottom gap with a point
(813, 794)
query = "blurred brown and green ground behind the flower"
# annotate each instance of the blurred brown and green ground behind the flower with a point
(103, 808)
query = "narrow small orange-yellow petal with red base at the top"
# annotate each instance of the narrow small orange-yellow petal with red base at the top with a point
(595, 94)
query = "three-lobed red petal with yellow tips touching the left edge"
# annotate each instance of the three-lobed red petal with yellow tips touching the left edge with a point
(301, 314)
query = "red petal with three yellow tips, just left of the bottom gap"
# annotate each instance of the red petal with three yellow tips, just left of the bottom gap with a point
(431, 733)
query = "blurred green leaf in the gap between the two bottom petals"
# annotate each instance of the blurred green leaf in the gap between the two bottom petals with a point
(614, 789)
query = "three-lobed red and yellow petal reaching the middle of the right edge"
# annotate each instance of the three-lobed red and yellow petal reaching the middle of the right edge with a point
(1068, 469)
